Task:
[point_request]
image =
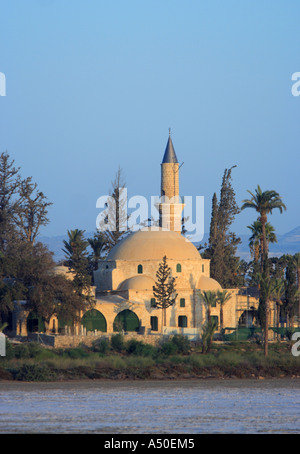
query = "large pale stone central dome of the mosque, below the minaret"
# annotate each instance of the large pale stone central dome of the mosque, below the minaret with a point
(154, 244)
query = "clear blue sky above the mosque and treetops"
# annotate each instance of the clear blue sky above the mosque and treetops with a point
(93, 84)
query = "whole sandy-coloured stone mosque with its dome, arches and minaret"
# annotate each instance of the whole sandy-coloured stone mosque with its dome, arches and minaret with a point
(124, 280)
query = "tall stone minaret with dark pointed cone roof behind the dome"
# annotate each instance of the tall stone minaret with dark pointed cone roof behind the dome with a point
(171, 207)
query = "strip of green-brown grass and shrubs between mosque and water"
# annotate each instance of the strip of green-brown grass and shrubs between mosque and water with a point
(174, 358)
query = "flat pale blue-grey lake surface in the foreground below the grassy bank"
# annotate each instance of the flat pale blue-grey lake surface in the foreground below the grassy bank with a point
(151, 407)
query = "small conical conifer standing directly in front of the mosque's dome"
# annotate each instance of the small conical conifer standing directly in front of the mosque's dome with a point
(164, 289)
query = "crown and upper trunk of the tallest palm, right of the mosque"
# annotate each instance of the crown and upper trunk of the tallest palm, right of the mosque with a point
(264, 203)
